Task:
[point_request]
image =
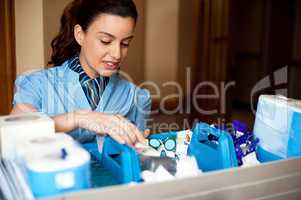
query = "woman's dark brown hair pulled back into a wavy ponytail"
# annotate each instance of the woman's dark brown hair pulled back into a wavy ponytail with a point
(83, 12)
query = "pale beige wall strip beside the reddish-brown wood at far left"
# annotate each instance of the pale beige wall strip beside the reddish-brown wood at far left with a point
(29, 35)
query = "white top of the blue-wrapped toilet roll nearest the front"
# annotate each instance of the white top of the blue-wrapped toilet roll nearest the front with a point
(50, 154)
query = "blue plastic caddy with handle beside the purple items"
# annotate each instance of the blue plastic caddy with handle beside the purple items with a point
(212, 148)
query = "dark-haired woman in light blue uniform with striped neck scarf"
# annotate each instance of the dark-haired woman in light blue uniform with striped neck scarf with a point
(83, 91)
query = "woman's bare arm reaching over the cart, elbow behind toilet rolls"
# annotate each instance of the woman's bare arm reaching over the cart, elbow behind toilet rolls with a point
(116, 126)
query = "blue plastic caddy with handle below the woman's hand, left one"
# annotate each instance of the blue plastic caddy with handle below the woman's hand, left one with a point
(118, 164)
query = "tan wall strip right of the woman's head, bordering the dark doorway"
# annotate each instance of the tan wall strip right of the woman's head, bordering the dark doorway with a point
(161, 44)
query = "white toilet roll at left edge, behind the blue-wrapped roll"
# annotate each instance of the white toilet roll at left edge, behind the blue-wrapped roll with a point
(16, 130)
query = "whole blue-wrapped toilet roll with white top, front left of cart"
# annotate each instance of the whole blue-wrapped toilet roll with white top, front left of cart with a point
(56, 165)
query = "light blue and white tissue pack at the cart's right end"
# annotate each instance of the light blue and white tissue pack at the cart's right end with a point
(277, 125)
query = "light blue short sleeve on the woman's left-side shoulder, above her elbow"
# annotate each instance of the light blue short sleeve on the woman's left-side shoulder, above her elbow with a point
(27, 91)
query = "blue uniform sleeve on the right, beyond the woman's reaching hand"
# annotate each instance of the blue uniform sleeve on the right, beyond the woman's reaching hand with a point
(143, 105)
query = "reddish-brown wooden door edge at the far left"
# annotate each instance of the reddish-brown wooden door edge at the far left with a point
(7, 55)
